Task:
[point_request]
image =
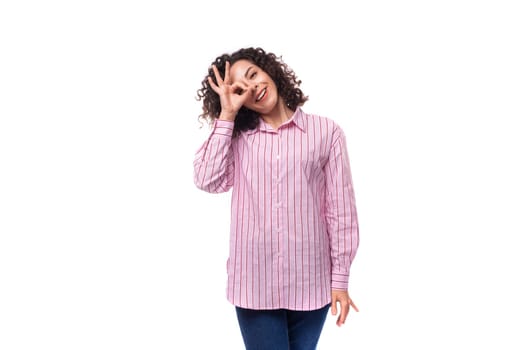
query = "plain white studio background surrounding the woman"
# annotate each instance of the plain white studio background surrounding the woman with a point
(105, 243)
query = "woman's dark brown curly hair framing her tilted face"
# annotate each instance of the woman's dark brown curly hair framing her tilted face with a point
(246, 119)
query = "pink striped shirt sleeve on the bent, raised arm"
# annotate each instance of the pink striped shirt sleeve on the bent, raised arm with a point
(213, 164)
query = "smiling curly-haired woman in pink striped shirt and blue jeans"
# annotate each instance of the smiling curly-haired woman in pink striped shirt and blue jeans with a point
(294, 229)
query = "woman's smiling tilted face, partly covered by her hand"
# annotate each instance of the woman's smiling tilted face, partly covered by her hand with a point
(264, 95)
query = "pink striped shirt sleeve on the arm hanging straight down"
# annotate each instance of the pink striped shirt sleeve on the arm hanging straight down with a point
(341, 214)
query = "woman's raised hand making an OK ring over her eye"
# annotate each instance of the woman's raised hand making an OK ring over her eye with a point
(232, 96)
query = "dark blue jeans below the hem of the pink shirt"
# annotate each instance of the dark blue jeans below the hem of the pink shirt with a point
(281, 329)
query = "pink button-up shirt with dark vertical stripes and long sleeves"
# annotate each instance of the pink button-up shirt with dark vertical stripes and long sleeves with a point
(294, 229)
